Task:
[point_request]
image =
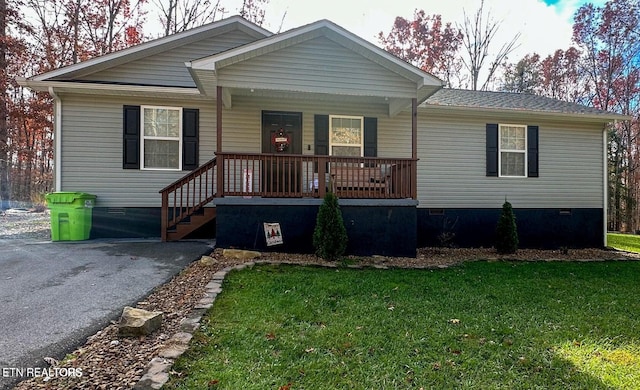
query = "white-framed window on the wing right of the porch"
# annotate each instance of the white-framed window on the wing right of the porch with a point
(513, 150)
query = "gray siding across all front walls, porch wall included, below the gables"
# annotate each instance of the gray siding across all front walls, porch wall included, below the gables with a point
(451, 152)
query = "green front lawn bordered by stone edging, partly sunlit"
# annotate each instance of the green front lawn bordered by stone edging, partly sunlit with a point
(489, 325)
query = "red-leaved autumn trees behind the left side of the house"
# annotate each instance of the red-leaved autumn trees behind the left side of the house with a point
(58, 33)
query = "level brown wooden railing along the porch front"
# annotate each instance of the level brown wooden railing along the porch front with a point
(300, 176)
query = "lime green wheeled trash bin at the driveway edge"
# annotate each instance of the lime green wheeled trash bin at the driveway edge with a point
(71, 214)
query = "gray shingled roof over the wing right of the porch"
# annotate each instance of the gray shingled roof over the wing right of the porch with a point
(490, 101)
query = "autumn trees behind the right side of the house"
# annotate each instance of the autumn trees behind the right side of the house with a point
(601, 69)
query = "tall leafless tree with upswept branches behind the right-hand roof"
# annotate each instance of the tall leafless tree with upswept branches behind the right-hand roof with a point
(478, 34)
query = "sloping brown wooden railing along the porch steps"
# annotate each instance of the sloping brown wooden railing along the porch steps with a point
(186, 196)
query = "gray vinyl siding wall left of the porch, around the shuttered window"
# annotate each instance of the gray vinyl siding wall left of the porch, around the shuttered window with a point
(92, 151)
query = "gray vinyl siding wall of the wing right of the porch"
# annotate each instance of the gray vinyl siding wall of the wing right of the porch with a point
(451, 170)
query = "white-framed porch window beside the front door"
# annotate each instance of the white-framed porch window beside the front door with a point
(346, 135)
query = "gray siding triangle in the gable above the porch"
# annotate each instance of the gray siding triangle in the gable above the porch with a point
(318, 65)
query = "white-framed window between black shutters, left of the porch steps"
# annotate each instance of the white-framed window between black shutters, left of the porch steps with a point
(161, 146)
